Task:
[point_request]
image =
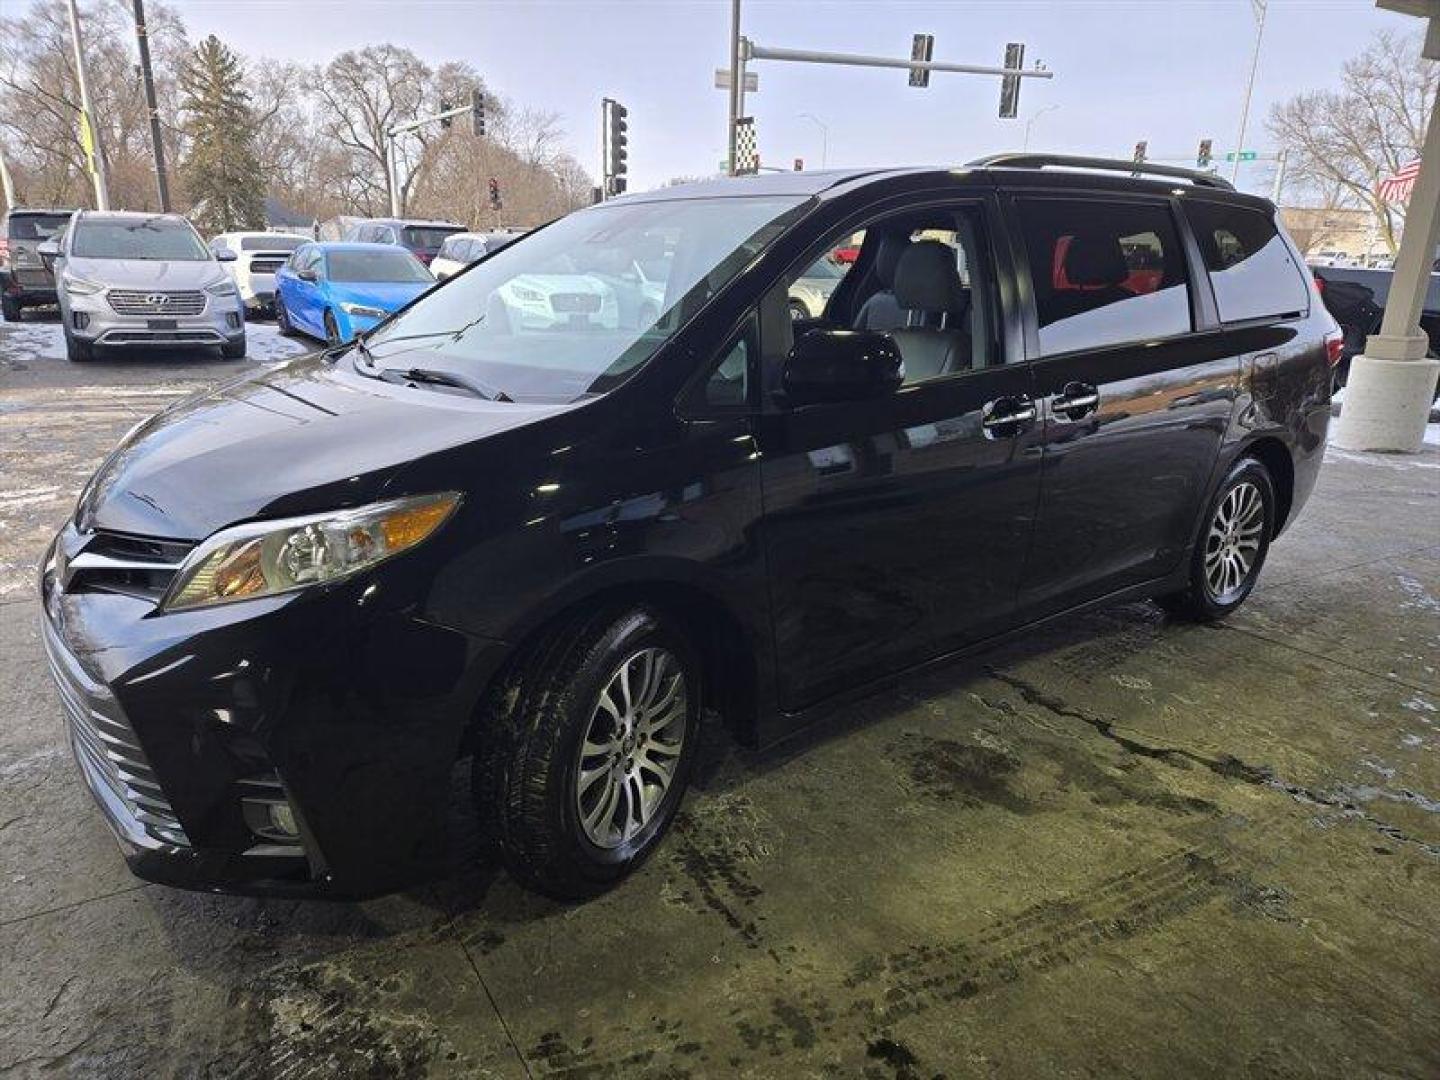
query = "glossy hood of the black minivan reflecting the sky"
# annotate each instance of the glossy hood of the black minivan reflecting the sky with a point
(305, 438)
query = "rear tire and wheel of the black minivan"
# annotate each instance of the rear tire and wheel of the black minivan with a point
(1232, 548)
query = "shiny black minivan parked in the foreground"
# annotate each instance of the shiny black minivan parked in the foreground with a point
(521, 525)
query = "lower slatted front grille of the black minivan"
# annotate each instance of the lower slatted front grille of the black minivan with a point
(109, 752)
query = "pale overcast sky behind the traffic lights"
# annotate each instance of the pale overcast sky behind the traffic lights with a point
(1167, 71)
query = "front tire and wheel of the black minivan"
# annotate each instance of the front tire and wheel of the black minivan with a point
(587, 751)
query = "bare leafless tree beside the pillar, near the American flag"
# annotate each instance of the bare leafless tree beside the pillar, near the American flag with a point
(1343, 143)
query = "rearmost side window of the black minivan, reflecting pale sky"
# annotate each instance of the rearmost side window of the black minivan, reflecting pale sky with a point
(1251, 267)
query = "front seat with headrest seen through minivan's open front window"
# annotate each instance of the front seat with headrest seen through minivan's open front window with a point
(928, 287)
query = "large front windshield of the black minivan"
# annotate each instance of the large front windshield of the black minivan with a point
(561, 313)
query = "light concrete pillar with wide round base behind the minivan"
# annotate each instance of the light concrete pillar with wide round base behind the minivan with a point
(1387, 398)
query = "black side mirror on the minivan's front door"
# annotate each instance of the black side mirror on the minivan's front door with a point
(842, 366)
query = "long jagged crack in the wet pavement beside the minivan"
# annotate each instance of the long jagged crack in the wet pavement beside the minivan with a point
(1346, 803)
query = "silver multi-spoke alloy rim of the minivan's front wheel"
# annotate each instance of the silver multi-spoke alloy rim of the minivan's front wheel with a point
(631, 748)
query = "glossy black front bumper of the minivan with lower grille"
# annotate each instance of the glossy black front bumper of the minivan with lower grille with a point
(349, 711)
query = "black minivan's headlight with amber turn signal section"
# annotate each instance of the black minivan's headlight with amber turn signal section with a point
(270, 558)
